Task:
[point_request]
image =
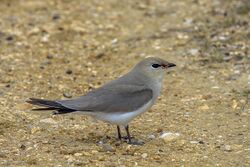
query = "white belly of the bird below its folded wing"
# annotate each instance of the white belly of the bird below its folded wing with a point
(121, 118)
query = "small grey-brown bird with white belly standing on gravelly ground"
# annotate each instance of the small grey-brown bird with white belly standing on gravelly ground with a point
(119, 101)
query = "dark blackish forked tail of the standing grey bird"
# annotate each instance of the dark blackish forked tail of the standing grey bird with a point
(49, 105)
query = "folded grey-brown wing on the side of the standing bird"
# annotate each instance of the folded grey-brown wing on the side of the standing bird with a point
(115, 98)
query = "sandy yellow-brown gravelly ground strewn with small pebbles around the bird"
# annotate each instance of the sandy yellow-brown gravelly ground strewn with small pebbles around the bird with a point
(58, 49)
